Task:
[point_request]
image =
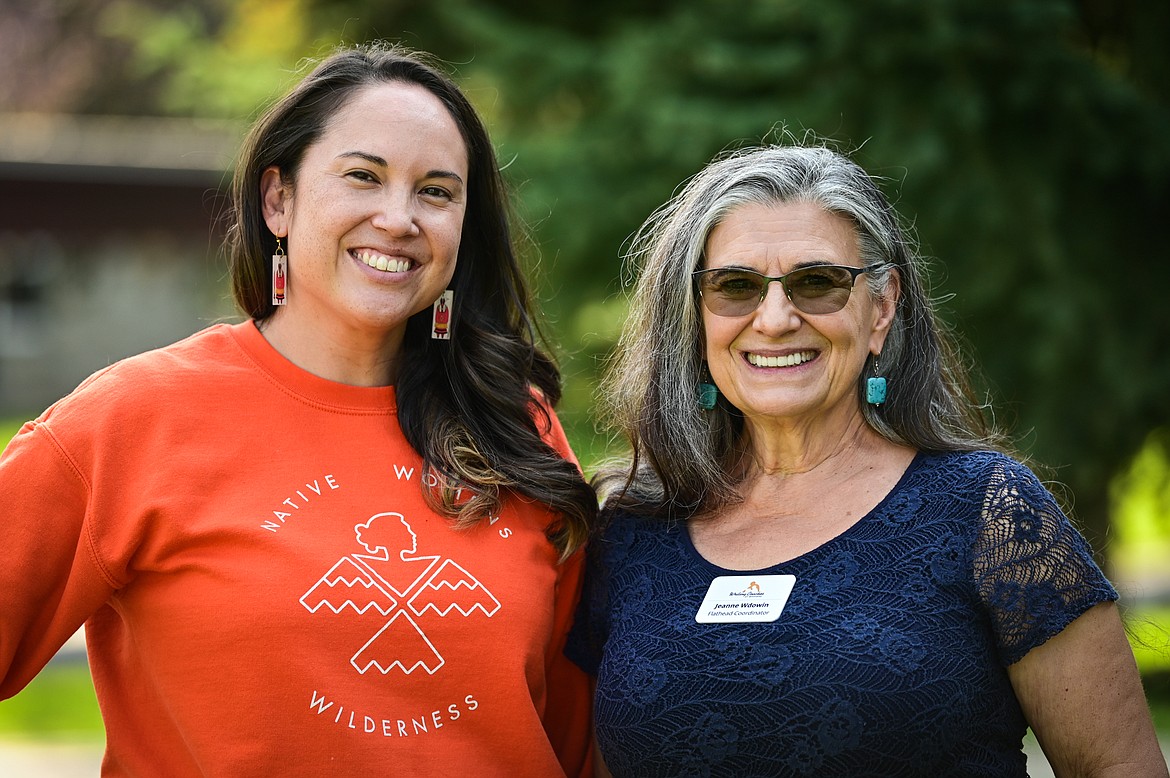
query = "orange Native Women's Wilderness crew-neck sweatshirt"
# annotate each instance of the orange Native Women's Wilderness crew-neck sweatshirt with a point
(264, 588)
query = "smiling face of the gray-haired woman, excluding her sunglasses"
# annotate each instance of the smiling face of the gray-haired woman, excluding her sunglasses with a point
(777, 363)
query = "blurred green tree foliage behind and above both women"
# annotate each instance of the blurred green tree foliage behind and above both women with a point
(1028, 142)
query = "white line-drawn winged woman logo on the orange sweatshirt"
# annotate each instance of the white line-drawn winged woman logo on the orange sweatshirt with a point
(396, 584)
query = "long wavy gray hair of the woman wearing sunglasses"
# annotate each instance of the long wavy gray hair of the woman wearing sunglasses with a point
(683, 457)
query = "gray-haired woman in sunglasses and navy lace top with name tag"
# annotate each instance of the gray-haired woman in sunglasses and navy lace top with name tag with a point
(821, 561)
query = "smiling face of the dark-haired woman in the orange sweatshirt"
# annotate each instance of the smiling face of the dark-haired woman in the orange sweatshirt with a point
(375, 217)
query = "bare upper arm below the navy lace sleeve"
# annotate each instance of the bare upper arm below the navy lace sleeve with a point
(1084, 700)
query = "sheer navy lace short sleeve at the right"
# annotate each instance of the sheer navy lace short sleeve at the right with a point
(1034, 569)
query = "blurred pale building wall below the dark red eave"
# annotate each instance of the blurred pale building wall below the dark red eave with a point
(71, 306)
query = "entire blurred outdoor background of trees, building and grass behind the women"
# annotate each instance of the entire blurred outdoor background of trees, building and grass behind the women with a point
(1027, 142)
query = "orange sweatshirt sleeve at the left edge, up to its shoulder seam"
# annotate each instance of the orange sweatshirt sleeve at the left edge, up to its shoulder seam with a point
(50, 580)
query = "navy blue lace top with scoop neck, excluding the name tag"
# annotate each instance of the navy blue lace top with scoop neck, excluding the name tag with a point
(889, 659)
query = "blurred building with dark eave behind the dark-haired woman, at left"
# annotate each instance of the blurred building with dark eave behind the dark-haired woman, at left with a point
(111, 244)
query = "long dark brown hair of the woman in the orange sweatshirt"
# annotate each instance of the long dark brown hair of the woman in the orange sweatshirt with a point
(473, 408)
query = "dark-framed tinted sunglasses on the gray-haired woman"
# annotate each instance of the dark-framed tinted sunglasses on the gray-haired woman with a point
(816, 290)
